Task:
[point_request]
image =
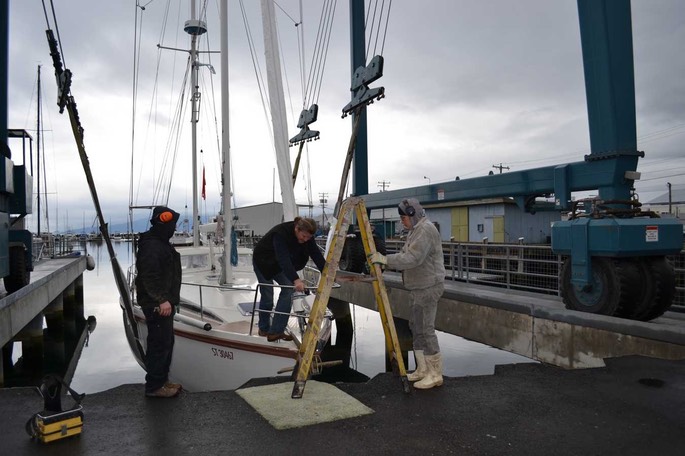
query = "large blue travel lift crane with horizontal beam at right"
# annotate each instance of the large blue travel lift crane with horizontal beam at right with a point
(615, 253)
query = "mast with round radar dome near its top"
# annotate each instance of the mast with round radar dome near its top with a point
(194, 28)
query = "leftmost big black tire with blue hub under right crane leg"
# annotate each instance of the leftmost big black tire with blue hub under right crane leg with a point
(609, 291)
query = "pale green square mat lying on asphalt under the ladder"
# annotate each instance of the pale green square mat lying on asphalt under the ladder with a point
(320, 403)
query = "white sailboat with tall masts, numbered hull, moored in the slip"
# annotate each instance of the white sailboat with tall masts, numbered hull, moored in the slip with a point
(216, 342)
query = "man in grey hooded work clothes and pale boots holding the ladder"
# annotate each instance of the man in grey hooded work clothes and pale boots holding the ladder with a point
(423, 274)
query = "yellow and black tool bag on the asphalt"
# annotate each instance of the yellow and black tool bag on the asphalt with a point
(53, 423)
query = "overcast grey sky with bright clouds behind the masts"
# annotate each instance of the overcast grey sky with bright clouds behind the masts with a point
(469, 85)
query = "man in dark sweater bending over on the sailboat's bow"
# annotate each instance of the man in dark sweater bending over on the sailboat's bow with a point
(283, 251)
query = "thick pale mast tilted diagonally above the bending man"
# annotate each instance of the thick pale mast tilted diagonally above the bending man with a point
(278, 112)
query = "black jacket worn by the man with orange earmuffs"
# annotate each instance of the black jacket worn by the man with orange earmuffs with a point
(159, 268)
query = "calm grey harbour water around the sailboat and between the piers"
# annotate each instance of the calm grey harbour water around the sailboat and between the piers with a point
(107, 362)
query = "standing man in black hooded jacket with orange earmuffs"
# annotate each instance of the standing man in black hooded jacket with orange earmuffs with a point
(158, 288)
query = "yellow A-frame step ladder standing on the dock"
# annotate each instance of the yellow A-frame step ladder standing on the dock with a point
(323, 293)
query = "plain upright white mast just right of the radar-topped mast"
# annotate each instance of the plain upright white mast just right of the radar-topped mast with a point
(227, 269)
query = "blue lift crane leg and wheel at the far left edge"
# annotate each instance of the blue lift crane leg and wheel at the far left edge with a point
(16, 187)
